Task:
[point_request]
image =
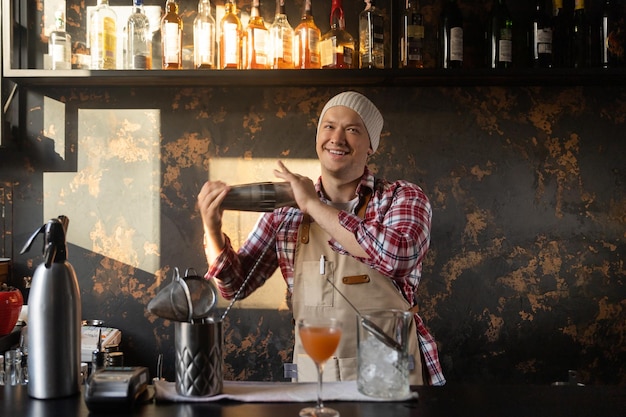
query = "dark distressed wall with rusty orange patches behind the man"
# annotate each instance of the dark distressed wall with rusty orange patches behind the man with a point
(525, 276)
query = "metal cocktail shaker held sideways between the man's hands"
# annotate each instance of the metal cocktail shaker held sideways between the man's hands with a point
(260, 196)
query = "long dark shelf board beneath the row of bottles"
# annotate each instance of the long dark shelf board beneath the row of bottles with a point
(326, 77)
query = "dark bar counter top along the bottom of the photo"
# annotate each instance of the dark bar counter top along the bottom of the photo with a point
(447, 401)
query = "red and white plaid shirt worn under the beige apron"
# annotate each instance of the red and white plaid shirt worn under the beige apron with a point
(395, 233)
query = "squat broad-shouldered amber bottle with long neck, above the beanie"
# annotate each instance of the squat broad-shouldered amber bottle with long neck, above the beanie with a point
(337, 48)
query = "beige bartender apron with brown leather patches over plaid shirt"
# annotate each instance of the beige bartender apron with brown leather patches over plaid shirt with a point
(313, 296)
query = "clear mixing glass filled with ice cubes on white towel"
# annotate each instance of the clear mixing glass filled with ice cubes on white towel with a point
(383, 364)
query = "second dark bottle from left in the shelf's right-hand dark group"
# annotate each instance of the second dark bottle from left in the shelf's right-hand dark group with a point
(450, 36)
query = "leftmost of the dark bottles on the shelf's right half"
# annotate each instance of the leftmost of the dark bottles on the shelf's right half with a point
(411, 42)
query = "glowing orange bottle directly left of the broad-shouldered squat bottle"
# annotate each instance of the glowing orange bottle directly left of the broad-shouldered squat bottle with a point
(307, 41)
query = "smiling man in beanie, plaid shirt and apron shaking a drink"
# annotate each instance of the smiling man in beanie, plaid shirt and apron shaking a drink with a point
(367, 235)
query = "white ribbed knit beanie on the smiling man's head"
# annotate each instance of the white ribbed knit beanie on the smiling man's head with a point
(372, 119)
